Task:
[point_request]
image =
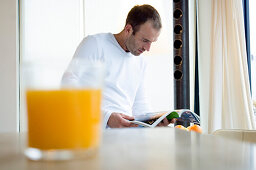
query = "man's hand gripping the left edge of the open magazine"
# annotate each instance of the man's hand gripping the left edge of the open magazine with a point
(120, 120)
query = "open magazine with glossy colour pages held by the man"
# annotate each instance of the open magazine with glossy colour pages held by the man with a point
(153, 119)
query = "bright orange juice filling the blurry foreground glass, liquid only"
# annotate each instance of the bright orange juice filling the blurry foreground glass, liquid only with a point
(63, 119)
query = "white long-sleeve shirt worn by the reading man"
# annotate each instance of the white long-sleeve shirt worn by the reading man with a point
(124, 86)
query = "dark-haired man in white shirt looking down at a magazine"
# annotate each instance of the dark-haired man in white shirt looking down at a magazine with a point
(124, 93)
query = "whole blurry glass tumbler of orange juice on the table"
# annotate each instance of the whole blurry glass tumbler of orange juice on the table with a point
(63, 110)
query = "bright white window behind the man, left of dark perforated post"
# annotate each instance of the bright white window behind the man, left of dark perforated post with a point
(51, 30)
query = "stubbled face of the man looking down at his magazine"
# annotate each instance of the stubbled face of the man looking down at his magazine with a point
(142, 39)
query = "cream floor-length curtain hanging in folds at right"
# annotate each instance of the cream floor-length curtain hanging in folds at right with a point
(225, 99)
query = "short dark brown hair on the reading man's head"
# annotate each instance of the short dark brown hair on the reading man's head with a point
(140, 14)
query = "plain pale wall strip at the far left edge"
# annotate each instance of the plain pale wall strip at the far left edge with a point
(8, 66)
